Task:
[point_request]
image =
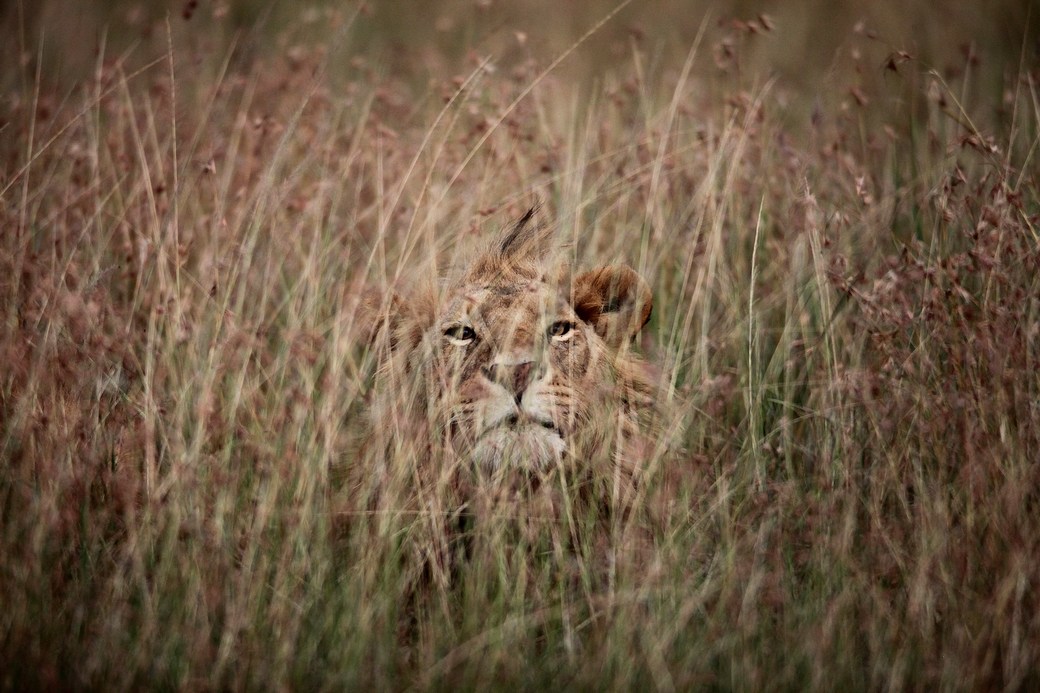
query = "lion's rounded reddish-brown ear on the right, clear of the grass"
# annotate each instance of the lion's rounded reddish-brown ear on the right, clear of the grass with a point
(615, 301)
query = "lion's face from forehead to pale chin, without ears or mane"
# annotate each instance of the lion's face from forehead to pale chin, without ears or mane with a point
(514, 365)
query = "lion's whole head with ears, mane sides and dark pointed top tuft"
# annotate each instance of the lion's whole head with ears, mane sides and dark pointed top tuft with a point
(518, 363)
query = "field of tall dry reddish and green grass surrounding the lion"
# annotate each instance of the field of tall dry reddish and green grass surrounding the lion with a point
(838, 210)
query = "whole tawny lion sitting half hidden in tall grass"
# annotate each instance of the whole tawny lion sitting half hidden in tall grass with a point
(508, 402)
